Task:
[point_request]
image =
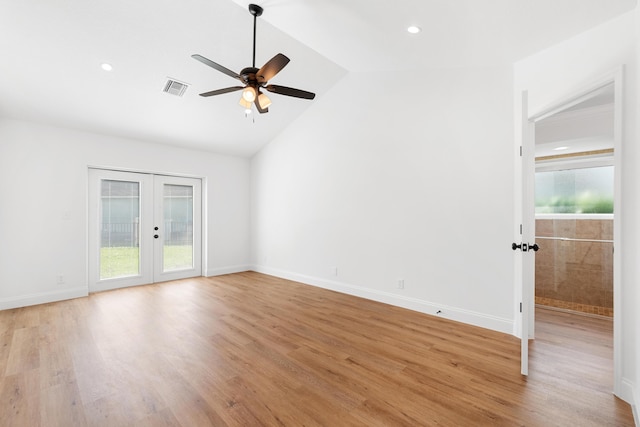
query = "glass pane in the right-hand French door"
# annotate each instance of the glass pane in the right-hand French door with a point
(178, 227)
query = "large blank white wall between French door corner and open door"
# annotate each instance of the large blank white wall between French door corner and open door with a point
(397, 176)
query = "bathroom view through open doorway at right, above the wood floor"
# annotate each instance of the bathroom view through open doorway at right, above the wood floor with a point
(574, 199)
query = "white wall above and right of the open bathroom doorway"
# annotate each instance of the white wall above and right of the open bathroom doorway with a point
(566, 69)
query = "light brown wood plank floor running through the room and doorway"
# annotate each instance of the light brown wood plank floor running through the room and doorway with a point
(249, 349)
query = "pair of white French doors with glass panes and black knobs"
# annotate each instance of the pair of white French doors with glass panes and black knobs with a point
(143, 228)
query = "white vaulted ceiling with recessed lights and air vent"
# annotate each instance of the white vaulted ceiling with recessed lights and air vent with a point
(51, 51)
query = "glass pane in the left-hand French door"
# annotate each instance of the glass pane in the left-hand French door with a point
(119, 229)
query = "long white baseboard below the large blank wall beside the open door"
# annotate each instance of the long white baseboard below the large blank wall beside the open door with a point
(452, 313)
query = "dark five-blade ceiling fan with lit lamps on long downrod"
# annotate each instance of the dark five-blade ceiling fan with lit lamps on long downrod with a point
(255, 79)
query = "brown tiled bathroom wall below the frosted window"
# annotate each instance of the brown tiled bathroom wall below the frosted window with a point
(577, 273)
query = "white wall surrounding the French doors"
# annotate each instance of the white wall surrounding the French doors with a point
(43, 210)
